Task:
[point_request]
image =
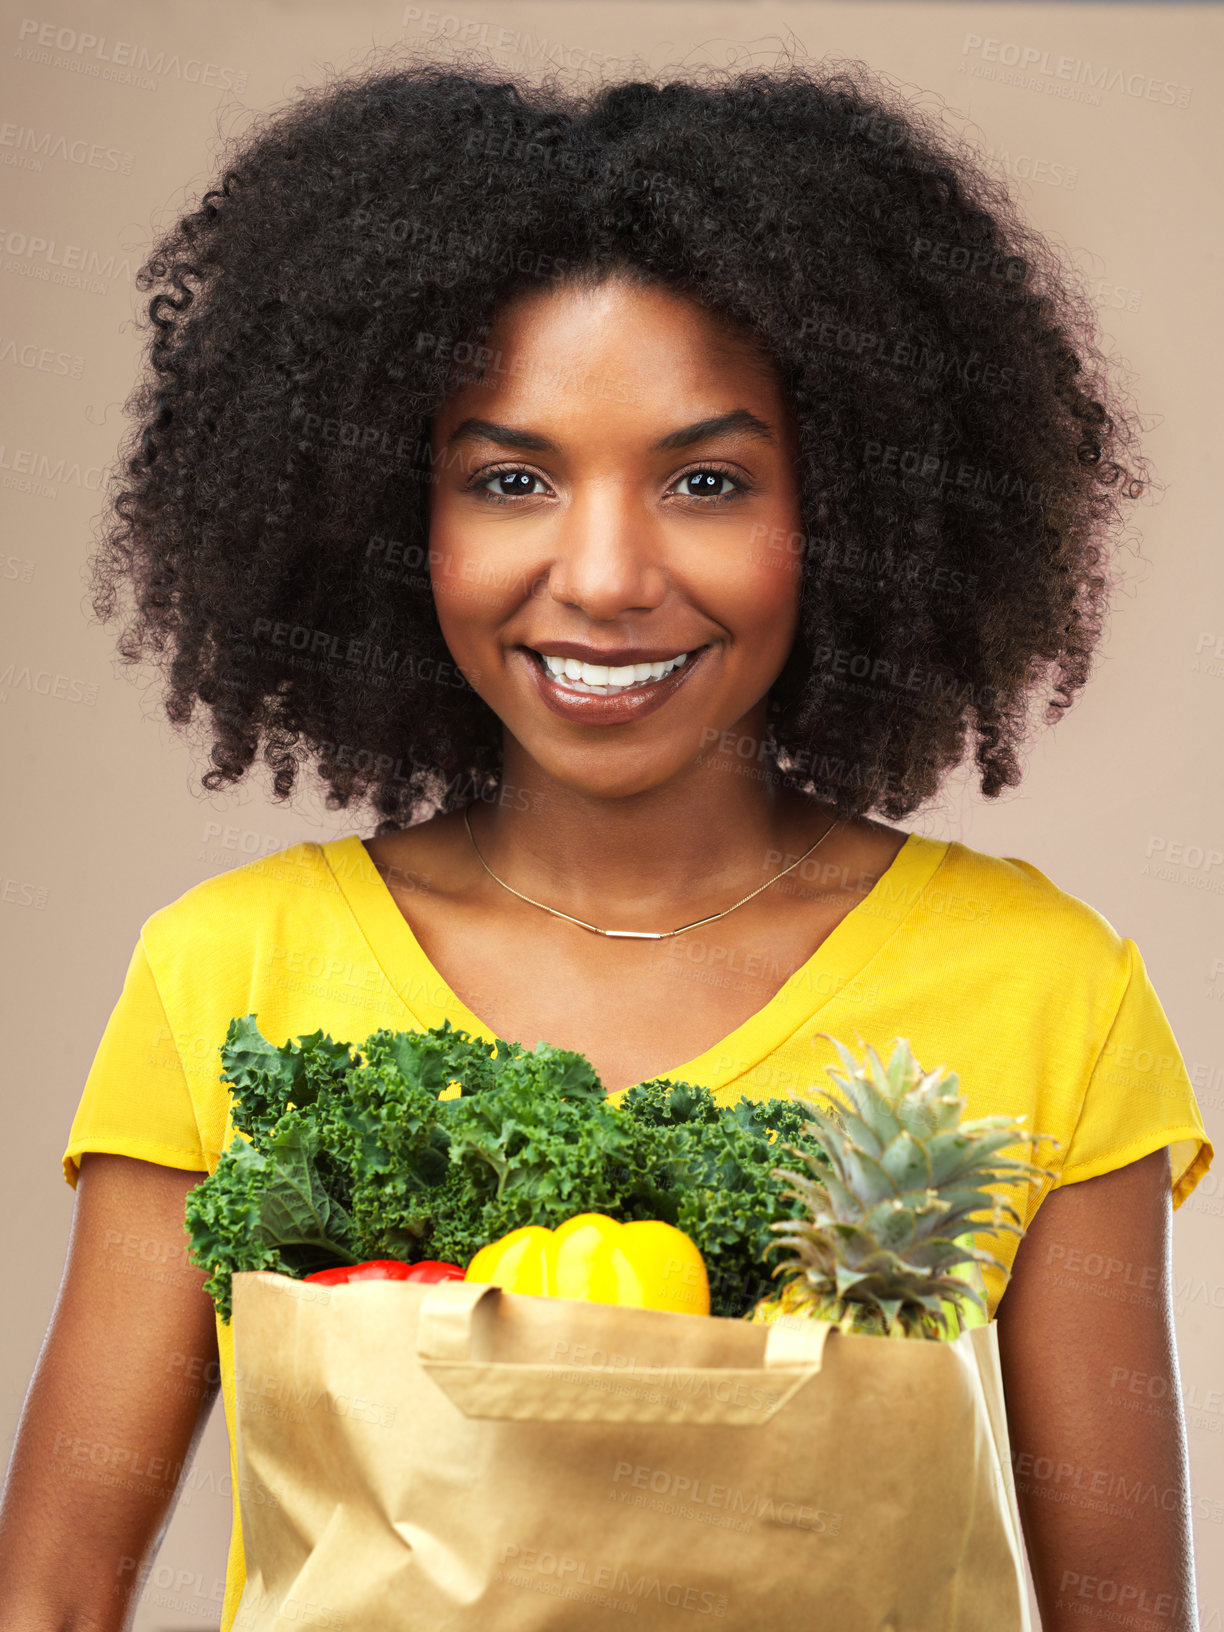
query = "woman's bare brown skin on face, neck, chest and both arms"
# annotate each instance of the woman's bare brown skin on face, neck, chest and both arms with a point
(628, 828)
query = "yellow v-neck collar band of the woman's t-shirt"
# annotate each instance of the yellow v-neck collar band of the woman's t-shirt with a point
(841, 957)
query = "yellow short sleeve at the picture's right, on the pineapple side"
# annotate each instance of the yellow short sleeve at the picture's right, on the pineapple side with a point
(1140, 1098)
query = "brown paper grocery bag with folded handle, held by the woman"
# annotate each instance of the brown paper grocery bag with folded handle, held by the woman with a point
(463, 1458)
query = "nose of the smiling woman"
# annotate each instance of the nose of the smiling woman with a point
(608, 557)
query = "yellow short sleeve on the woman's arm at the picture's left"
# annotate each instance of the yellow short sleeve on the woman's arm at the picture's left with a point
(136, 1099)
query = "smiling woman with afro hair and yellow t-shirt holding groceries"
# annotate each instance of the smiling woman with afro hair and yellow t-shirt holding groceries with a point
(623, 499)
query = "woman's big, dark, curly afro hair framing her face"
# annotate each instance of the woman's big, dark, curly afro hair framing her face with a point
(962, 445)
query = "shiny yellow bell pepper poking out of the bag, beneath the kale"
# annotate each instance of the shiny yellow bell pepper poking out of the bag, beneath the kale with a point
(644, 1266)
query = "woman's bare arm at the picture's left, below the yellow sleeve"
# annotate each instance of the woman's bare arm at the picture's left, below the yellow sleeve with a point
(120, 1395)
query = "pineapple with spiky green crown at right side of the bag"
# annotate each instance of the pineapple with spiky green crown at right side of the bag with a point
(884, 1248)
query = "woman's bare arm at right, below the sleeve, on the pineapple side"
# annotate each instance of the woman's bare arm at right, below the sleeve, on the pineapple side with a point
(1099, 1455)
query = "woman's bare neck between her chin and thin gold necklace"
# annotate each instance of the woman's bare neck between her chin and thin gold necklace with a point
(642, 861)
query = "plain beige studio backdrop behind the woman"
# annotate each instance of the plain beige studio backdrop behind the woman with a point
(1106, 117)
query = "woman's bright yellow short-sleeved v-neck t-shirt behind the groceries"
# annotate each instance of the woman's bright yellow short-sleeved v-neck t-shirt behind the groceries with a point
(982, 962)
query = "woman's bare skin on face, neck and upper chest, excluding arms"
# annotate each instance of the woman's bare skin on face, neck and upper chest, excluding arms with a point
(628, 827)
